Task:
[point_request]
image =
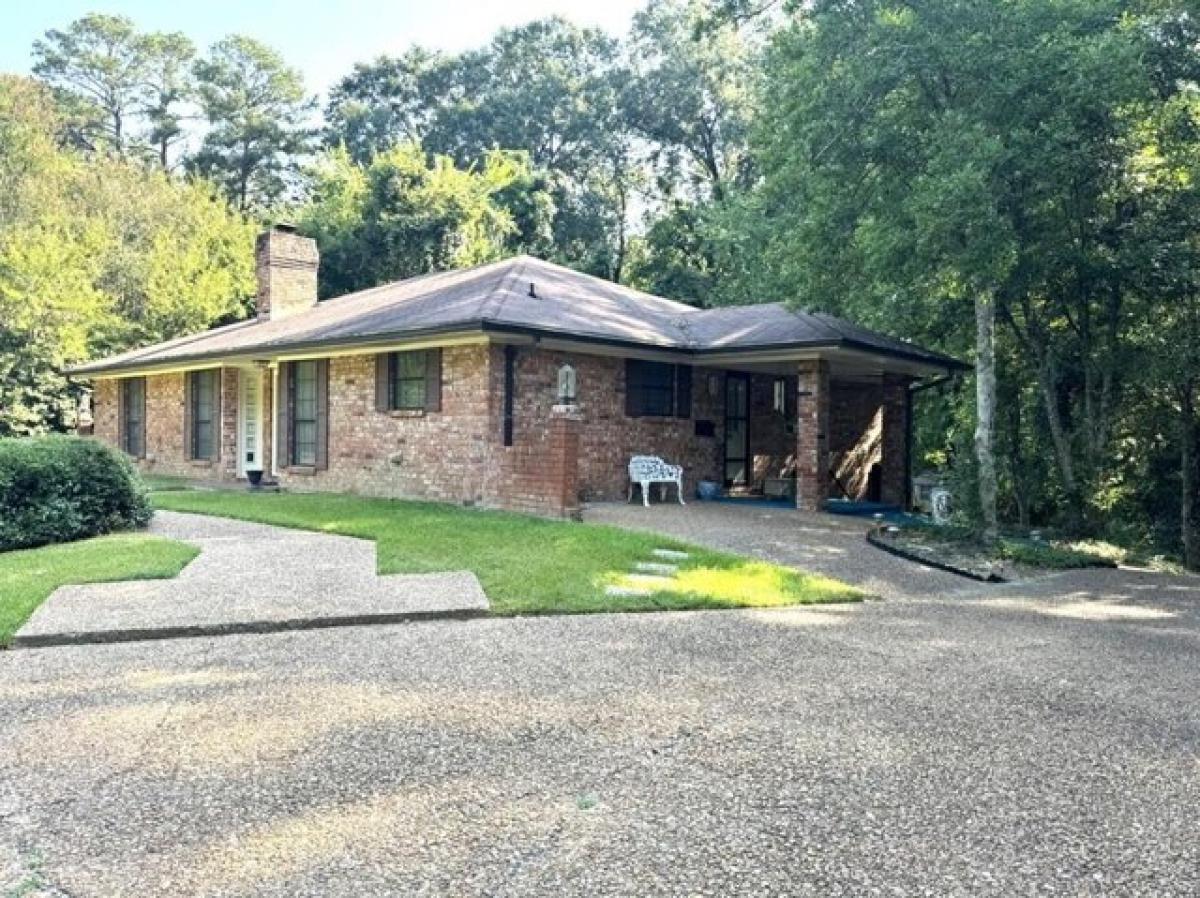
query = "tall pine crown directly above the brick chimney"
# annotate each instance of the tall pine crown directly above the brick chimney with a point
(256, 110)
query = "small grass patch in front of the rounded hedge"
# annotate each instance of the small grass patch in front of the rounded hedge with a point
(29, 576)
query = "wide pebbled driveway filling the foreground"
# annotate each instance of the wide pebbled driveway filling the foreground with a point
(1040, 741)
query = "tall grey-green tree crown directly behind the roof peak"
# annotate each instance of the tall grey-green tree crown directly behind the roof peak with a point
(549, 89)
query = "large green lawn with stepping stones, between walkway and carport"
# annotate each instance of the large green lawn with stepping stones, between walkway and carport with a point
(526, 565)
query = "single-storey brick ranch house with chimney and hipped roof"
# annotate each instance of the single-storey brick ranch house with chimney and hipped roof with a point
(518, 385)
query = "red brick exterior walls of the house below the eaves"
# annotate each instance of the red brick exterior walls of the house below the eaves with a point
(458, 454)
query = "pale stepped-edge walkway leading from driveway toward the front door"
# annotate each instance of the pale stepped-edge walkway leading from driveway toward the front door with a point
(250, 578)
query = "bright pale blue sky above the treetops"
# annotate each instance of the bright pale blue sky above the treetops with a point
(323, 40)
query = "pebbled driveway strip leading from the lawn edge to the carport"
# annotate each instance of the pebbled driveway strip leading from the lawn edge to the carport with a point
(824, 543)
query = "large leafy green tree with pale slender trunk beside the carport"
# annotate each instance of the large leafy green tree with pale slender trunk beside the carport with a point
(959, 153)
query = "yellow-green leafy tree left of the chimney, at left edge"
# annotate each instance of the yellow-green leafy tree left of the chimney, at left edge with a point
(98, 255)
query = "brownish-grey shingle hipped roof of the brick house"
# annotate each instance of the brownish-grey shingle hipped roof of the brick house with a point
(497, 297)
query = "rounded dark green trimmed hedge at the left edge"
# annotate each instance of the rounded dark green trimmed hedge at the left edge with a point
(59, 489)
